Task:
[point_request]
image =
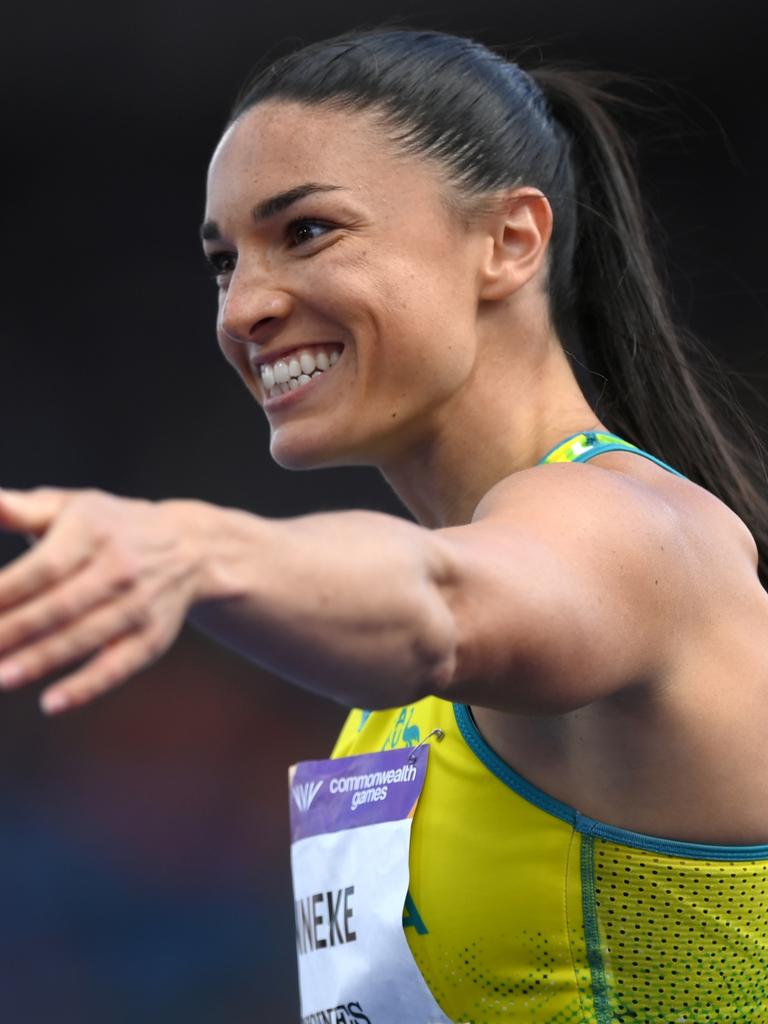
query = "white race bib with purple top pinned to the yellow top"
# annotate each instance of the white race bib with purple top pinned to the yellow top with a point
(351, 824)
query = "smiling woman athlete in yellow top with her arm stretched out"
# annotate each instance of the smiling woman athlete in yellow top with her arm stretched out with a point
(562, 665)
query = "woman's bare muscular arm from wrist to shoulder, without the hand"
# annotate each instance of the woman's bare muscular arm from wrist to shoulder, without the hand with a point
(561, 591)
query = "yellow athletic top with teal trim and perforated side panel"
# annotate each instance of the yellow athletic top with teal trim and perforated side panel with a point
(523, 910)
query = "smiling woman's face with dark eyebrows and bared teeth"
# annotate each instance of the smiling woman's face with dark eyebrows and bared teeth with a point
(348, 295)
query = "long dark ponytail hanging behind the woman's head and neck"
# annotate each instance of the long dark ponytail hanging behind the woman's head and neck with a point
(663, 390)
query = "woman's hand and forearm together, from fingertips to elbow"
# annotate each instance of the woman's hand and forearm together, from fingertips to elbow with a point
(344, 604)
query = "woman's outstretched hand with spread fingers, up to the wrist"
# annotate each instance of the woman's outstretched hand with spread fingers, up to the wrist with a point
(109, 584)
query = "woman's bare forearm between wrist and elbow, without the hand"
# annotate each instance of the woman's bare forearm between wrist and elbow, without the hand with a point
(349, 605)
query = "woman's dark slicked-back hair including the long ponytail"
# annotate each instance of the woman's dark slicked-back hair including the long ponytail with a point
(494, 126)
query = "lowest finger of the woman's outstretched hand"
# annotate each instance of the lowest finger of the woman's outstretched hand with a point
(116, 663)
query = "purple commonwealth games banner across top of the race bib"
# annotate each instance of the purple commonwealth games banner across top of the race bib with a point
(351, 793)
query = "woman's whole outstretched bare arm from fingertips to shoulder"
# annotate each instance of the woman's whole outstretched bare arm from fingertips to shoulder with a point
(560, 591)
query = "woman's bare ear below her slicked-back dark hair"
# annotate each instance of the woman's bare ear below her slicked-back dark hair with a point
(519, 233)
